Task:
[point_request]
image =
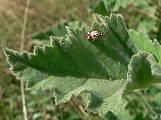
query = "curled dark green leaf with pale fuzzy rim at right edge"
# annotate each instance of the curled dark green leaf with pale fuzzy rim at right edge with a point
(143, 71)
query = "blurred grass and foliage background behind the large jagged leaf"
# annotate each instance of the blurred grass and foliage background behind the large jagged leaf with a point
(49, 17)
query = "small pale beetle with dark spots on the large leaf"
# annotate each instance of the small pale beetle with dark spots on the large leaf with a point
(93, 35)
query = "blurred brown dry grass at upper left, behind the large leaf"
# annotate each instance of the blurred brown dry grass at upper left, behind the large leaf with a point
(41, 14)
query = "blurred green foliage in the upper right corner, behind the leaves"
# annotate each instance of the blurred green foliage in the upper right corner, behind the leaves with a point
(141, 15)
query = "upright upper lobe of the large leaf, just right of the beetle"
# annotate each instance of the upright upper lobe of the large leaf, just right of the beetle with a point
(116, 42)
